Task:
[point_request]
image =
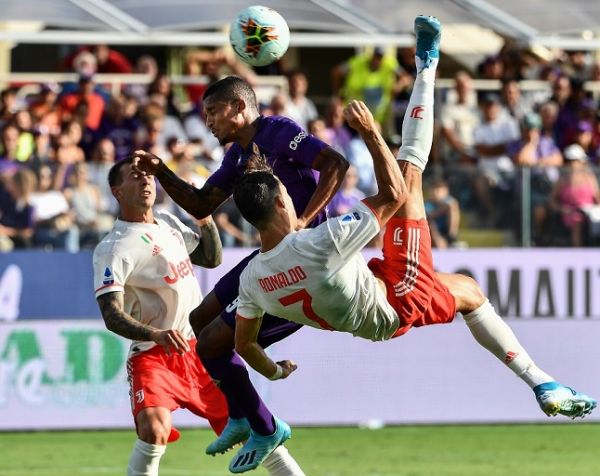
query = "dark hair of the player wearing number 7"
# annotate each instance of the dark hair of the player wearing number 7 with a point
(256, 191)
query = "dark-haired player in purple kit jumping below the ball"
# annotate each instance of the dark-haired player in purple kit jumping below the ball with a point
(232, 115)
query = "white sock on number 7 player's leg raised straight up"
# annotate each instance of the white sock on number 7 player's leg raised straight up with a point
(417, 125)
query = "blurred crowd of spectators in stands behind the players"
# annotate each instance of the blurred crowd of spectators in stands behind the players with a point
(57, 145)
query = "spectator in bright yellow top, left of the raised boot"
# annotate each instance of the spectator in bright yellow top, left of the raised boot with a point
(370, 78)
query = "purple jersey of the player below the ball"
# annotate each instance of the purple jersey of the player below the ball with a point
(289, 150)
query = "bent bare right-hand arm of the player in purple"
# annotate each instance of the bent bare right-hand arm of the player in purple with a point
(332, 168)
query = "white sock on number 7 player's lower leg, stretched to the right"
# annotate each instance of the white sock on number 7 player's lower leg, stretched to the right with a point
(490, 330)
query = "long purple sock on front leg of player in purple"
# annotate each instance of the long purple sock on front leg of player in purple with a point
(232, 378)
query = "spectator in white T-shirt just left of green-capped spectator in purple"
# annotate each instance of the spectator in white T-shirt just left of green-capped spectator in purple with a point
(492, 137)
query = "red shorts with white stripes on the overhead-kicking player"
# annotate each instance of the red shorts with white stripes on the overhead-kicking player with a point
(413, 289)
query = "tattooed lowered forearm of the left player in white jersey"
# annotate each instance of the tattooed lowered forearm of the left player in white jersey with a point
(121, 323)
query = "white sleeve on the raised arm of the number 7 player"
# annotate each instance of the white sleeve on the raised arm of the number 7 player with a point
(354, 230)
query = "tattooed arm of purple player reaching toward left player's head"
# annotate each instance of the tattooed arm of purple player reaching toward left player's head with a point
(199, 203)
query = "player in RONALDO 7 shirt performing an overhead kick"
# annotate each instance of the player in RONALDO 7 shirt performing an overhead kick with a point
(318, 277)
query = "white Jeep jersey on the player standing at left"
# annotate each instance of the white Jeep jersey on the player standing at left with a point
(150, 263)
